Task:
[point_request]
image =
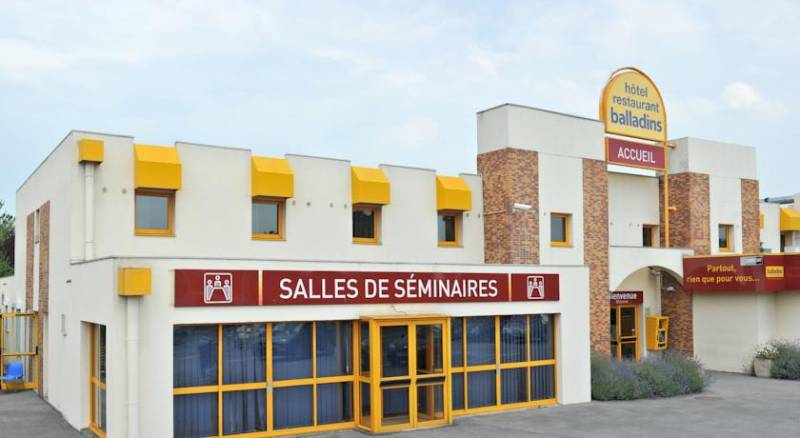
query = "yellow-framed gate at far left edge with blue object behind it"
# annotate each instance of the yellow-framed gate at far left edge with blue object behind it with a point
(19, 350)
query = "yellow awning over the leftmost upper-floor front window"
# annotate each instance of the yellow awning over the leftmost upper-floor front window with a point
(157, 167)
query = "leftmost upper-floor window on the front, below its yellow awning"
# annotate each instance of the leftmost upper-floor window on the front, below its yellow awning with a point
(155, 212)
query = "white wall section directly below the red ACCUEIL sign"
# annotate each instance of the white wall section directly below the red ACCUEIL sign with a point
(633, 201)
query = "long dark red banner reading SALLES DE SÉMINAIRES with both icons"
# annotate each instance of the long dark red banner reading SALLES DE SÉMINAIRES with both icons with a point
(241, 288)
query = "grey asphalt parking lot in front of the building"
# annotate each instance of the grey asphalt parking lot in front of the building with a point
(733, 406)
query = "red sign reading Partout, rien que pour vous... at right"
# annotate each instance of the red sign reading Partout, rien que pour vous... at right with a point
(754, 273)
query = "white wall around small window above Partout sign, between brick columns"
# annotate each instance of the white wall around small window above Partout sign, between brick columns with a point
(725, 201)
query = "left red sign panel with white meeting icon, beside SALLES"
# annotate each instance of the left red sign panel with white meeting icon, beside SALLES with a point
(195, 287)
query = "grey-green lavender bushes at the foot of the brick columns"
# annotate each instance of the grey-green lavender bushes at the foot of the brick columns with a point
(666, 375)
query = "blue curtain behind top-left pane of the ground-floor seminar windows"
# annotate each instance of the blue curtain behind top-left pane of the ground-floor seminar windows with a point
(194, 356)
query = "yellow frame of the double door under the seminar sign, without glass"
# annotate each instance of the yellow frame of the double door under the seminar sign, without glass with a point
(376, 378)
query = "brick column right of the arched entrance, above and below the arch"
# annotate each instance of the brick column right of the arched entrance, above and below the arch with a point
(689, 228)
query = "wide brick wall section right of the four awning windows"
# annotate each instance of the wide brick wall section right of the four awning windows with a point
(510, 176)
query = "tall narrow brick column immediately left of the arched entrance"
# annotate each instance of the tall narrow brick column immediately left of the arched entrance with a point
(595, 250)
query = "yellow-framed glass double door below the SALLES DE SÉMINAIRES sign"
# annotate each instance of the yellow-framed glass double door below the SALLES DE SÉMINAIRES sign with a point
(411, 388)
